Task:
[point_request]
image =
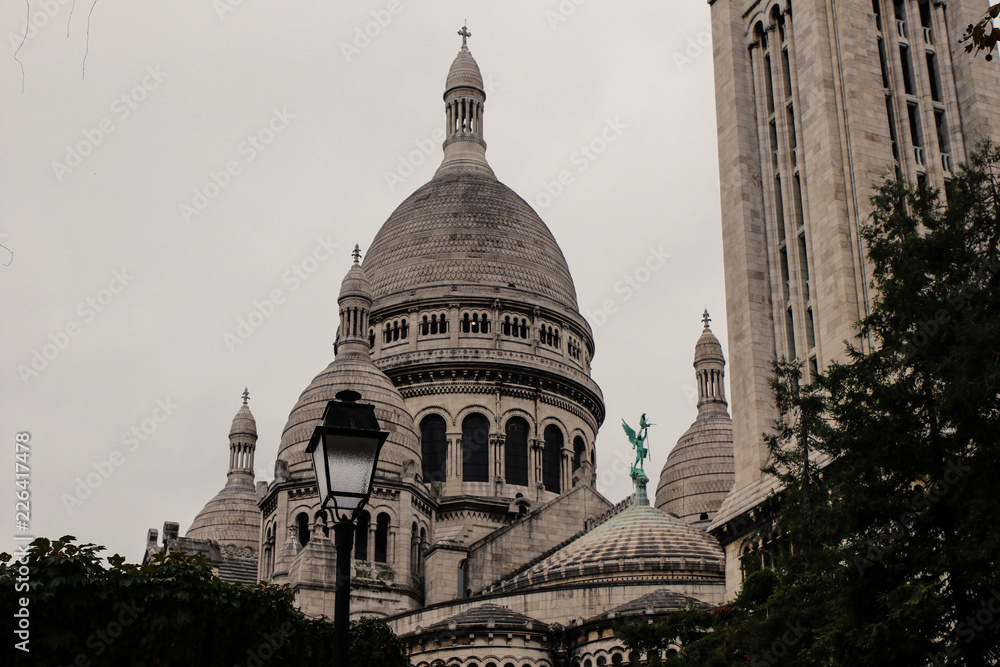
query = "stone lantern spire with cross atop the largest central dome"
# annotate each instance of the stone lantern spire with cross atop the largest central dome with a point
(464, 97)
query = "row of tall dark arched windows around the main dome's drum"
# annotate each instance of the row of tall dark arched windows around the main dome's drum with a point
(475, 451)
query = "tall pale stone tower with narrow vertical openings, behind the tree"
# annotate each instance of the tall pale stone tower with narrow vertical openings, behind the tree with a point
(816, 103)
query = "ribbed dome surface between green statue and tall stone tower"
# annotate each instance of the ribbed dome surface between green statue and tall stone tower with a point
(700, 469)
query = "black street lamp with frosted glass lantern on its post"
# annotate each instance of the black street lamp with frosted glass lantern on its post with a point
(345, 450)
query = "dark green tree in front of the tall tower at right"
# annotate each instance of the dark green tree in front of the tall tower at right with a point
(888, 463)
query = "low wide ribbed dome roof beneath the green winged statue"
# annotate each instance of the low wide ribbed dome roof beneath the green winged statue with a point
(641, 541)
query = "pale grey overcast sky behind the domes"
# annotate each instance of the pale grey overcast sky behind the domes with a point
(215, 151)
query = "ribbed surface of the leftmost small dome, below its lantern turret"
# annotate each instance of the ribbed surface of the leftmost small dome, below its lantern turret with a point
(232, 516)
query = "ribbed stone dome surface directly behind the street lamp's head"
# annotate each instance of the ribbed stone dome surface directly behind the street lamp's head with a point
(359, 374)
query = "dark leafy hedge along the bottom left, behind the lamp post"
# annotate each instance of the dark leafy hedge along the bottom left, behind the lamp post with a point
(170, 611)
